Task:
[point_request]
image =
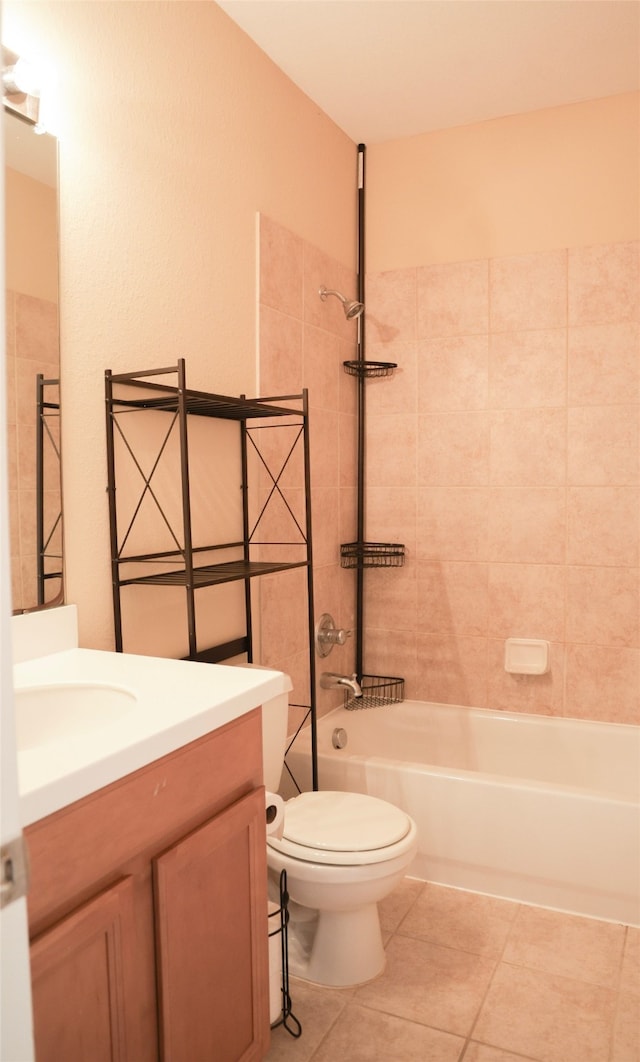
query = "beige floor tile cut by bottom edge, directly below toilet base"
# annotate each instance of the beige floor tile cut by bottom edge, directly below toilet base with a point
(367, 1036)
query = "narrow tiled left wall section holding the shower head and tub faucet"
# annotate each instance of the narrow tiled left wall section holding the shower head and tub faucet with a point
(304, 342)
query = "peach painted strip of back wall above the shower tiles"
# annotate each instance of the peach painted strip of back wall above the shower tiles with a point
(560, 178)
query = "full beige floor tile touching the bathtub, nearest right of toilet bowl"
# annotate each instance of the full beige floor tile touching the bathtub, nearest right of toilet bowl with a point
(462, 920)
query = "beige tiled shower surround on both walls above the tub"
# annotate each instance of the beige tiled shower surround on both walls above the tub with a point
(504, 453)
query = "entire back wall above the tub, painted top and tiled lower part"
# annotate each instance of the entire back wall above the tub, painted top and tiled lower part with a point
(505, 281)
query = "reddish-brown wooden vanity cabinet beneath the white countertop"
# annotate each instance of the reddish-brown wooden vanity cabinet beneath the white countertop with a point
(148, 912)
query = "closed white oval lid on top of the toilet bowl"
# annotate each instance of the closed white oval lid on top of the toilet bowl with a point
(343, 823)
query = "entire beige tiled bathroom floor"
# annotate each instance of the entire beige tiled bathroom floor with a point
(471, 979)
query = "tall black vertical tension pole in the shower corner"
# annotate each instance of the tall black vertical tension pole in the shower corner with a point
(360, 417)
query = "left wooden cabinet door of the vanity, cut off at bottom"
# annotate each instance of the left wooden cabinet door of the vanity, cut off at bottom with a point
(78, 969)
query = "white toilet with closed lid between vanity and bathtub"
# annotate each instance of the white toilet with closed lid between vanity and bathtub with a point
(343, 853)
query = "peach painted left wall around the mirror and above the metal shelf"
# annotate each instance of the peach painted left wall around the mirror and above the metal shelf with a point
(175, 132)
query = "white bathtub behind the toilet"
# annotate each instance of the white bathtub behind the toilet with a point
(526, 808)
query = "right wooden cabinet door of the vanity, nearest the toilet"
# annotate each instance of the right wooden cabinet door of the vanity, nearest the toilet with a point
(213, 939)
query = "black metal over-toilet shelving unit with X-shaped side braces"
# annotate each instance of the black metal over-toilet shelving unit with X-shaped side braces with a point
(189, 564)
